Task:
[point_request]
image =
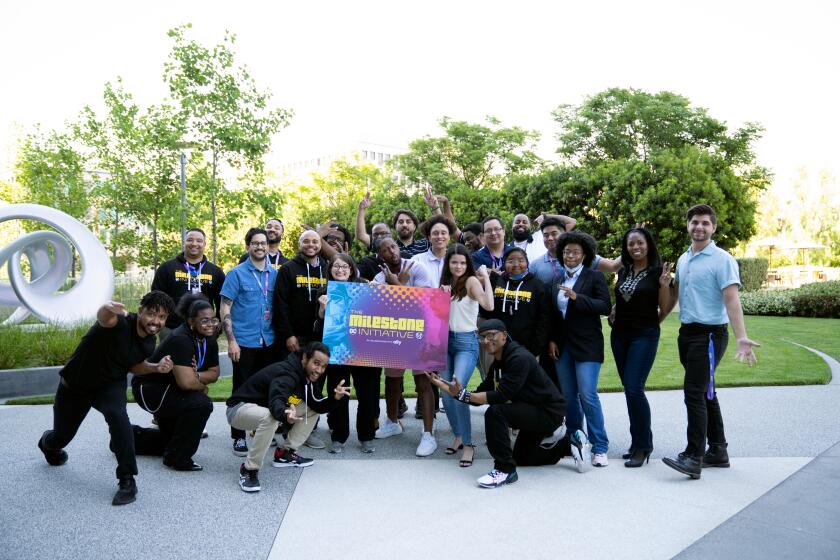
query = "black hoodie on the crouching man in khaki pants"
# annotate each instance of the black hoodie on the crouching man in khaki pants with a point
(291, 386)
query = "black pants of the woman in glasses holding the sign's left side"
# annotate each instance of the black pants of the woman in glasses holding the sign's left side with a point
(366, 381)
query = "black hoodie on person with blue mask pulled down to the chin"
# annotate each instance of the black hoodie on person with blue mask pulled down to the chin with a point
(523, 306)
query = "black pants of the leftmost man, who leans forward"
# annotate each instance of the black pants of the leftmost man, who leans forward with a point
(70, 409)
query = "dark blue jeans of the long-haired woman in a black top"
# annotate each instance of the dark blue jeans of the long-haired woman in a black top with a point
(634, 353)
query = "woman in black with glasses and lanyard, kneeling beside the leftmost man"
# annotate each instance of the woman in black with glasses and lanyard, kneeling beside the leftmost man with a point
(178, 400)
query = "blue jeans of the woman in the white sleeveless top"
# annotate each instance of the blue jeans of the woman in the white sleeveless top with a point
(461, 359)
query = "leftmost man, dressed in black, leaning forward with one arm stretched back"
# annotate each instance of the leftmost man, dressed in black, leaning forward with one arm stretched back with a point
(95, 377)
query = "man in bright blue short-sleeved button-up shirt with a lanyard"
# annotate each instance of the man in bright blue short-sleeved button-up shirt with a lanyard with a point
(247, 306)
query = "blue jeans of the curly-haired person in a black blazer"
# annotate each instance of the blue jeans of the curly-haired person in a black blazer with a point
(579, 382)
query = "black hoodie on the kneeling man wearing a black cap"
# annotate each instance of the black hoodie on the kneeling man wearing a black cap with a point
(518, 377)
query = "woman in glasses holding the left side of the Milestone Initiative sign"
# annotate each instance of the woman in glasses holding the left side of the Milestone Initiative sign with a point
(342, 268)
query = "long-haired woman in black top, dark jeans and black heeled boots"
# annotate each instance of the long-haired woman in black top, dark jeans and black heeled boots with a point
(642, 291)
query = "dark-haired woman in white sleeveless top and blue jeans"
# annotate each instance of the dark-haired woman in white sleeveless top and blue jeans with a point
(469, 288)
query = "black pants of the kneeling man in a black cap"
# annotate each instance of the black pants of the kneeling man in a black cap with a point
(533, 421)
